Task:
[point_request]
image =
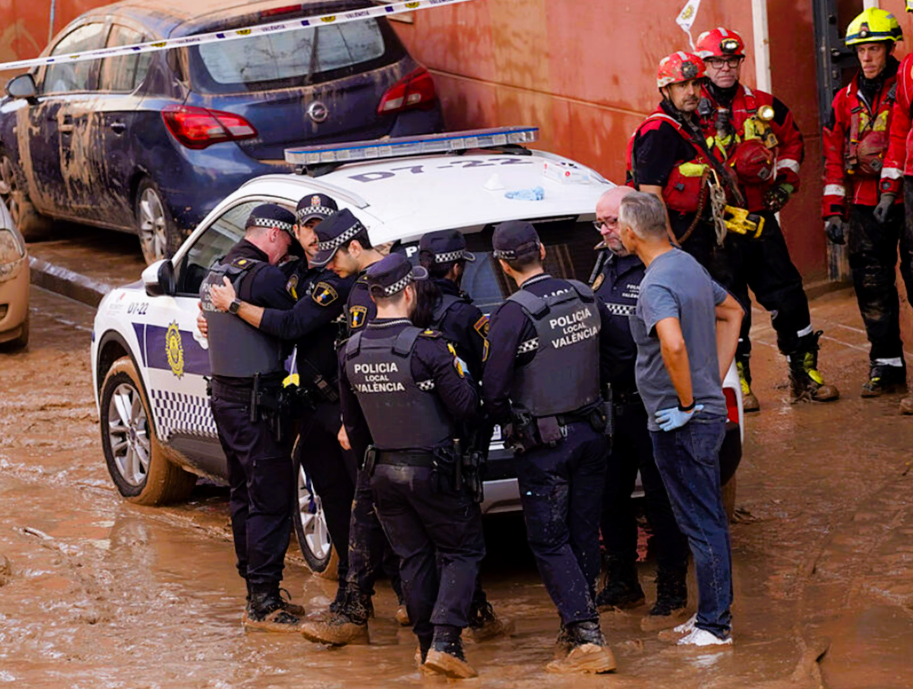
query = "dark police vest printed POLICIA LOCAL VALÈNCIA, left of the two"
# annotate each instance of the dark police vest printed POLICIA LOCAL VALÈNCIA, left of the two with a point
(401, 413)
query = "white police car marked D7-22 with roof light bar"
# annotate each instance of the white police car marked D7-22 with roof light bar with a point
(150, 361)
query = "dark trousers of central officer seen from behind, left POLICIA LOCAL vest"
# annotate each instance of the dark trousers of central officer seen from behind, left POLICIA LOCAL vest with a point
(438, 537)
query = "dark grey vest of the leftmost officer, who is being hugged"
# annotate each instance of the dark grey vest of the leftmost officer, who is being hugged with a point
(236, 349)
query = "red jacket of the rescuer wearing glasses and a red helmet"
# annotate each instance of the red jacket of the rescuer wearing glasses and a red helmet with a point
(790, 149)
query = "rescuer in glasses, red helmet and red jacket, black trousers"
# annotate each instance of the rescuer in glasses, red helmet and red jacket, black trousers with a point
(756, 134)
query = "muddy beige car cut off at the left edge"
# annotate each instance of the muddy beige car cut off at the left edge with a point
(14, 285)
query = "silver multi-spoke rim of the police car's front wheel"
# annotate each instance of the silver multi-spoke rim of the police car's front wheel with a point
(127, 434)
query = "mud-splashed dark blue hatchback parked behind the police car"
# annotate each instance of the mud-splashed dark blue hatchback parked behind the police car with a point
(150, 143)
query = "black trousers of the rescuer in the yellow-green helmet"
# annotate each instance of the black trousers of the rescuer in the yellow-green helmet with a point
(872, 251)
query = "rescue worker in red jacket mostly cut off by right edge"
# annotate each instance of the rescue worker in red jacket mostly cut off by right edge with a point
(897, 172)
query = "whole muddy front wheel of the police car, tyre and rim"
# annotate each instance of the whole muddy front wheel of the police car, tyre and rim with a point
(136, 460)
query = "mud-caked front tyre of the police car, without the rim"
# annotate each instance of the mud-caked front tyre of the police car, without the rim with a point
(165, 481)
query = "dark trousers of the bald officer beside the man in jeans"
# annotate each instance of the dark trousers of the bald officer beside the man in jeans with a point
(632, 449)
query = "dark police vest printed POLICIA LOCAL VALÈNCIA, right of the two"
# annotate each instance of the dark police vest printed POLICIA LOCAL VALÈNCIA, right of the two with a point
(564, 374)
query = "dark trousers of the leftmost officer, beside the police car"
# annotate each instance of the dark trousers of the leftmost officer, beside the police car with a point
(262, 486)
